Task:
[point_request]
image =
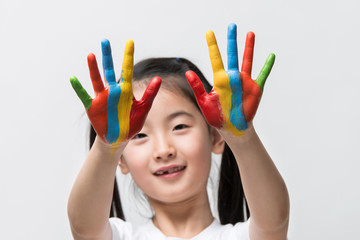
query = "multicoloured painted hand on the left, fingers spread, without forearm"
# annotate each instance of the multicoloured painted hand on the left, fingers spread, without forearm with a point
(114, 112)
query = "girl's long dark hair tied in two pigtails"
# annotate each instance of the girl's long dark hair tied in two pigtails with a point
(232, 204)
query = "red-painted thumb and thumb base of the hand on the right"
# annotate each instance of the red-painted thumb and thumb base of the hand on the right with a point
(209, 103)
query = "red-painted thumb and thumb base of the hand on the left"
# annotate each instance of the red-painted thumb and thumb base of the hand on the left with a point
(140, 108)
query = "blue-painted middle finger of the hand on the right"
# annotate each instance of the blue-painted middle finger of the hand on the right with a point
(232, 48)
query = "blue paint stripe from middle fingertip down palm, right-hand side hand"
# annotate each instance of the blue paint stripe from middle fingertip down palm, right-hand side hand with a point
(237, 118)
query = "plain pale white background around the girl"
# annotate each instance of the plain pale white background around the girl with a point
(308, 118)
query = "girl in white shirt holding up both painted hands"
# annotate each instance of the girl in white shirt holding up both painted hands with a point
(165, 140)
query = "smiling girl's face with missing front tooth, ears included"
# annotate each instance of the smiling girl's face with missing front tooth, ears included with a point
(170, 158)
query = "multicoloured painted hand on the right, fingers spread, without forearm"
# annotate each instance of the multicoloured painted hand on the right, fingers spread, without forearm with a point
(233, 101)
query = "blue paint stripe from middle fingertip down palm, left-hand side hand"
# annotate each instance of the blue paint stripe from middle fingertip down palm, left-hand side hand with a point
(114, 94)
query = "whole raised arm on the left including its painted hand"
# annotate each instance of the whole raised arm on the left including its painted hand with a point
(116, 116)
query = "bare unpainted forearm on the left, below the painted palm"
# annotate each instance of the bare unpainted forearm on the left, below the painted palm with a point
(90, 199)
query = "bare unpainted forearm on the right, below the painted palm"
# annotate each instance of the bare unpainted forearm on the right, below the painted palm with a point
(264, 188)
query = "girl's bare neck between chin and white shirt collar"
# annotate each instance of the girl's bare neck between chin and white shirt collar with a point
(183, 219)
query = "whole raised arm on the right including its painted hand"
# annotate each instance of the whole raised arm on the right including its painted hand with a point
(230, 107)
